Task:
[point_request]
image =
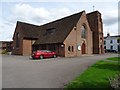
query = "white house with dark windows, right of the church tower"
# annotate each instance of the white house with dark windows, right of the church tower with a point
(112, 42)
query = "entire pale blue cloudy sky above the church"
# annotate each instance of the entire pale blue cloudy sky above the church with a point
(39, 12)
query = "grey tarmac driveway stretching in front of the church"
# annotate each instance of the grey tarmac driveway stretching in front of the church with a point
(21, 72)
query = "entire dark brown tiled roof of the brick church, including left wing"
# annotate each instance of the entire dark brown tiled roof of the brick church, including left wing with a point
(53, 32)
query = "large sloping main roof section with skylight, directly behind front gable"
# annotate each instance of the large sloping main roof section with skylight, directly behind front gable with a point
(57, 31)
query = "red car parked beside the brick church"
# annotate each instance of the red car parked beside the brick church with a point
(40, 54)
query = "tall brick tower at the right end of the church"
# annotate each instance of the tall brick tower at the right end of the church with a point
(95, 22)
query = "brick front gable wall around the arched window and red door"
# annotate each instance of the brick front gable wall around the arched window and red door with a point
(74, 39)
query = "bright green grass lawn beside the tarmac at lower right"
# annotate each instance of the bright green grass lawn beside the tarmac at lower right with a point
(97, 75)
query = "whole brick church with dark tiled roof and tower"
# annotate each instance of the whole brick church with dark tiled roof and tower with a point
(70, 36)
